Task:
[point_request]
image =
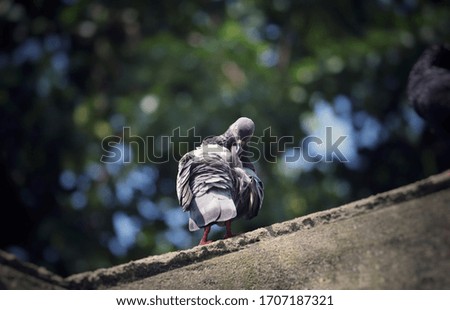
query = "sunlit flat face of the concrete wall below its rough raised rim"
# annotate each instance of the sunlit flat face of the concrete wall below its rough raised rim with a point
(406, 246)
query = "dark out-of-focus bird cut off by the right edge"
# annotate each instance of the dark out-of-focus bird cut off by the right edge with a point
(429, 87)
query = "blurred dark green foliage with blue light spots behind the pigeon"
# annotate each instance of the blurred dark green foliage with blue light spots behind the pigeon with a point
(74, 72)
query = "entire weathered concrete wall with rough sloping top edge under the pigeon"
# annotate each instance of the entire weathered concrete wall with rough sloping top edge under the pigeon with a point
(396, 240)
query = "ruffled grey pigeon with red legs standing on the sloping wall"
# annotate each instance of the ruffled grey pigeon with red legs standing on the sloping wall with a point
(217, 182)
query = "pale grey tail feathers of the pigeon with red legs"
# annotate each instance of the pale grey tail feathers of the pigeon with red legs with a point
(215, 206)
